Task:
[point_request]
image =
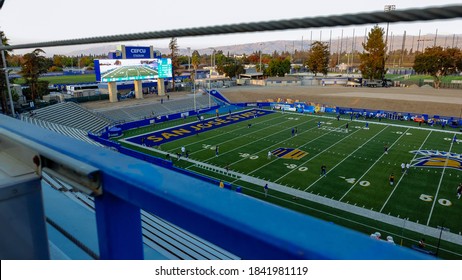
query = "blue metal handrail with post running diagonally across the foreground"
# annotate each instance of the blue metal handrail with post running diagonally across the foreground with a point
(246, 227)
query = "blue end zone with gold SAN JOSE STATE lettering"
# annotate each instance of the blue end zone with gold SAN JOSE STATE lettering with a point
(175, 133)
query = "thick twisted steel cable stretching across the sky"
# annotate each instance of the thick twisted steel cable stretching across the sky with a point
(424, 14)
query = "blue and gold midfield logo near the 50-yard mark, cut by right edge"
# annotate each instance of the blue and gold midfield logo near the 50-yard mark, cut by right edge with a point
(437, 159)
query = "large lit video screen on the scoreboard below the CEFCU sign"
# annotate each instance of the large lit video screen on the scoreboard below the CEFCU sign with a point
(117, 70)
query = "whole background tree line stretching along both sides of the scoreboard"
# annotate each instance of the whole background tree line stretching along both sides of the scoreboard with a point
(435, 61)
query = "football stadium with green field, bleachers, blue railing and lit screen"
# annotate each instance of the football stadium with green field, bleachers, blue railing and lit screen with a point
(246, 172)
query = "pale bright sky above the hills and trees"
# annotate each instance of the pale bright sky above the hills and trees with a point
(32, 21)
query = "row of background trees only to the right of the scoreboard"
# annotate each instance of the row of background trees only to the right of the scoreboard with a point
(372, 62)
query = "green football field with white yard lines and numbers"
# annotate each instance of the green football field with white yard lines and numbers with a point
(357, 169)
